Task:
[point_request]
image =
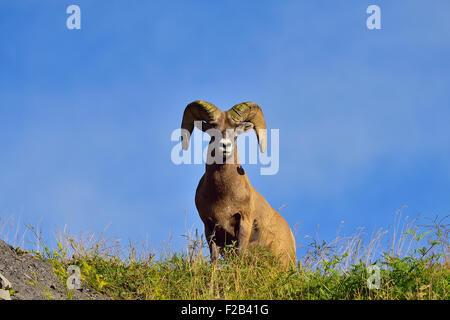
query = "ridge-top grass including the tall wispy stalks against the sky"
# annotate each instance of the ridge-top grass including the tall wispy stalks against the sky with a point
(413, 264)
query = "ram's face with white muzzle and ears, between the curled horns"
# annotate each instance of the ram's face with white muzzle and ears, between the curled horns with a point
(224, 132)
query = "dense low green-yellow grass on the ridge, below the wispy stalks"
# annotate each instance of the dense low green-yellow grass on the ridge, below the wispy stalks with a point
(237, 278)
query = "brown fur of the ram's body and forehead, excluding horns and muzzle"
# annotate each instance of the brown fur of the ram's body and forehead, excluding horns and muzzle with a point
(233, 211)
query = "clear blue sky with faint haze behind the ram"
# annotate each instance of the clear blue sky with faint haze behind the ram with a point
(86, 115)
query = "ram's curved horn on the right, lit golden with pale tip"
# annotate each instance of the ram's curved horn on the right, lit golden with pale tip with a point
(251, 112)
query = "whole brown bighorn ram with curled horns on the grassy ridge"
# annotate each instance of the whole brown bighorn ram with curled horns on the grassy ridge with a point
(232, 211)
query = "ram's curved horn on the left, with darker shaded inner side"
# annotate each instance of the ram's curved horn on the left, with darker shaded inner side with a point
(197, 110)
